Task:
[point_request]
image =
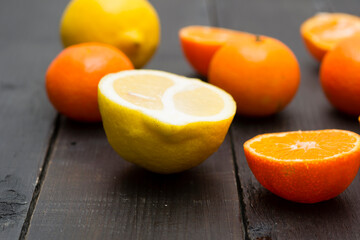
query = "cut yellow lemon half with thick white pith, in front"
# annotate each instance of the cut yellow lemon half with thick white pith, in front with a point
(161, 121)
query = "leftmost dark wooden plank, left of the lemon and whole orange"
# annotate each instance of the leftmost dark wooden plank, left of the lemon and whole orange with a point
(27, 44)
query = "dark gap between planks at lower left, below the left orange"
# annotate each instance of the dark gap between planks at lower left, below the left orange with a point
(42, 174)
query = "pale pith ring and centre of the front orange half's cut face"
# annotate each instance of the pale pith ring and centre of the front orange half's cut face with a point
(335, 156)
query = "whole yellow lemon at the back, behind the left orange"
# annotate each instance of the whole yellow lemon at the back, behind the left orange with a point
(130, 25)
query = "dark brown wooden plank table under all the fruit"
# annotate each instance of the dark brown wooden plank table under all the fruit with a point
(60, 179)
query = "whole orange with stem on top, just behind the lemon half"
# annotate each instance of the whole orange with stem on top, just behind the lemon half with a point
(261, 73)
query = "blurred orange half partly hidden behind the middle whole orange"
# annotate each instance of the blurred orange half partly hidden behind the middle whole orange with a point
(199, 44)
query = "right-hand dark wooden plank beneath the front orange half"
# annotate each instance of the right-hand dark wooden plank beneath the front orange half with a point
(268, 216)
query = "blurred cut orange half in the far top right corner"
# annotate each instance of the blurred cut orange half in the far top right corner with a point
(323, 31)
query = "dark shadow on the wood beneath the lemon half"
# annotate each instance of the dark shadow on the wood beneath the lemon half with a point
(184, 187)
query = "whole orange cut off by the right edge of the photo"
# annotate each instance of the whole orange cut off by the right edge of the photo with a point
(340, 76)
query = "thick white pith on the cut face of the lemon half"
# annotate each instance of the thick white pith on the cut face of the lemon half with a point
(168, 114)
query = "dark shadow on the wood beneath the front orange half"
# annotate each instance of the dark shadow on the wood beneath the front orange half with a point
(290, 214)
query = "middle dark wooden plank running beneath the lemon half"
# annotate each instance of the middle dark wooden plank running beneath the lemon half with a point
(91, 193)
